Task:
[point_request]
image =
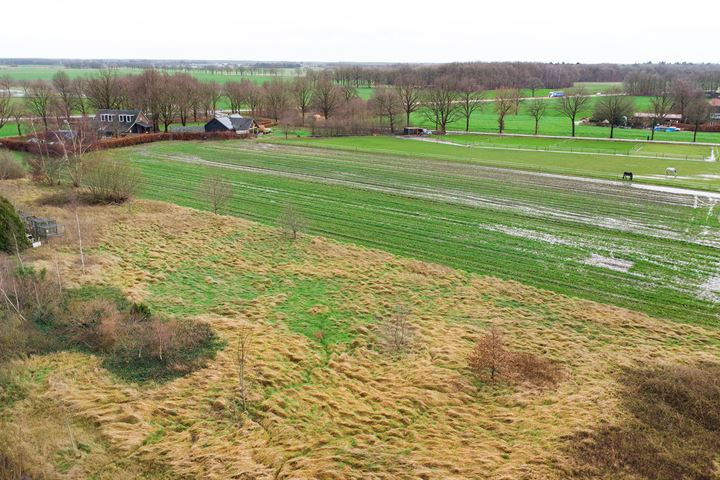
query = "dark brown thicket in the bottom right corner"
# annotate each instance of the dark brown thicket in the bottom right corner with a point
(672, 429)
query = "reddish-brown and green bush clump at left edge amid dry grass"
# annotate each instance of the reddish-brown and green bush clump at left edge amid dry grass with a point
(39, 316)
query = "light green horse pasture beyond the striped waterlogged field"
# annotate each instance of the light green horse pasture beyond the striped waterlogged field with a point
(565, 157)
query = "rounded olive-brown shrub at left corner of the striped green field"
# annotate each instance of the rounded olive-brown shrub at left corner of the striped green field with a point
(110, 181)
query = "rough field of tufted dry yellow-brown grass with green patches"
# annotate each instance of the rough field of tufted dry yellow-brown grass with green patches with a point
(326, 399)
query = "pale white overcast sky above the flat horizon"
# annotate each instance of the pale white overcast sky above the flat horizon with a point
(625, 31)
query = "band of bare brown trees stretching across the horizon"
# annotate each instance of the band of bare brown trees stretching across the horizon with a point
(329, 101)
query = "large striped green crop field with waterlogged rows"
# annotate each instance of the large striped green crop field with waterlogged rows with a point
(609, 243)
